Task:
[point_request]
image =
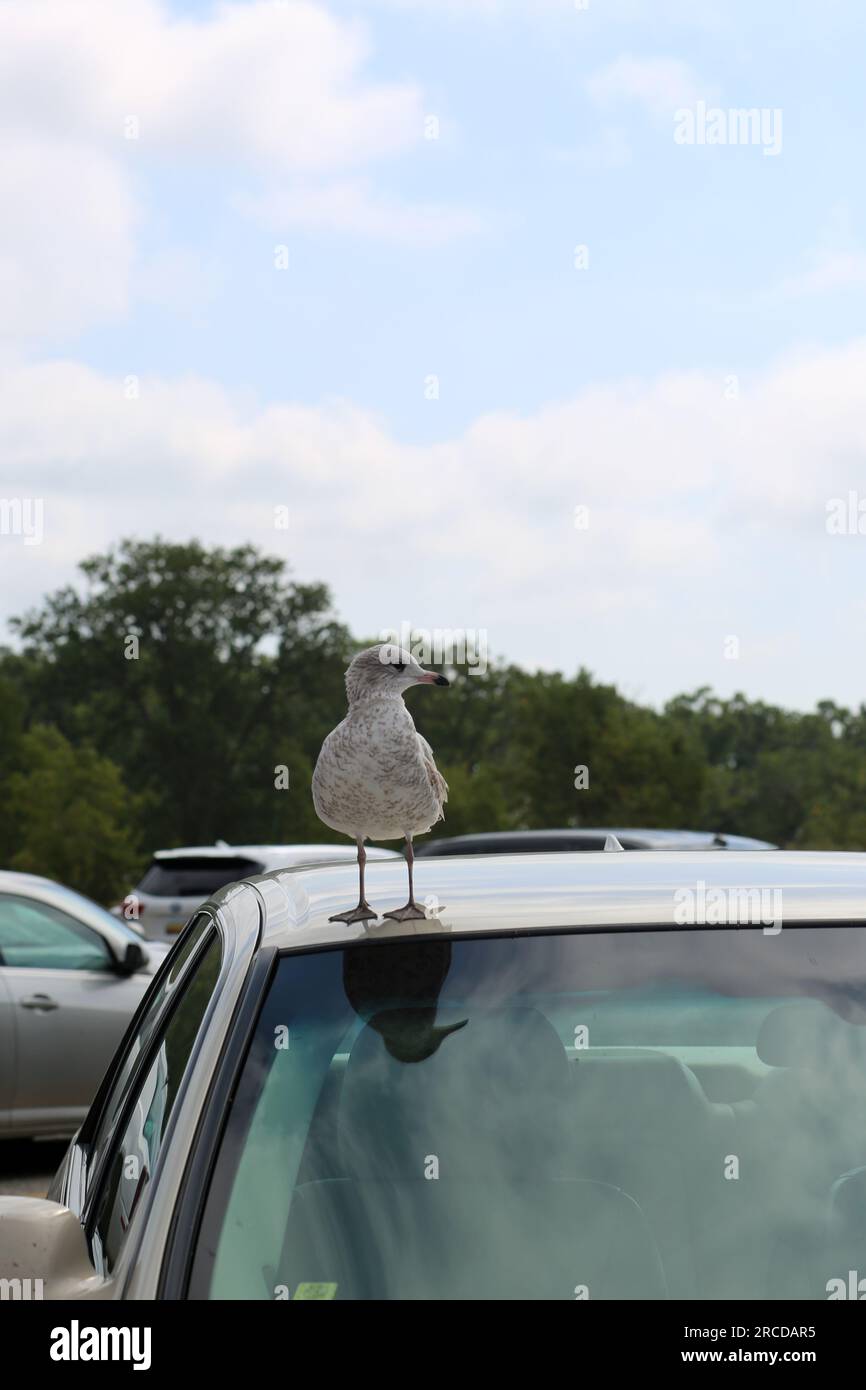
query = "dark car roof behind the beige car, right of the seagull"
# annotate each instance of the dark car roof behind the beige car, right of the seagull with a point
(543, 842)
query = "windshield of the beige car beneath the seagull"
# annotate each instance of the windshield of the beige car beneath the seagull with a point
(633, 1115)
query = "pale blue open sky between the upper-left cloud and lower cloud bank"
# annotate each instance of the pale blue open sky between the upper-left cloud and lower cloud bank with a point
(680, 247)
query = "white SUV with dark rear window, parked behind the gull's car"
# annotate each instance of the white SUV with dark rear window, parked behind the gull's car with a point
(177, 882)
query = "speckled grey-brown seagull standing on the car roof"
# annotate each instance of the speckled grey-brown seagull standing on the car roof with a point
(376, 778)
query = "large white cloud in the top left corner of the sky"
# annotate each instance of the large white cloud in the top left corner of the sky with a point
(259, 90)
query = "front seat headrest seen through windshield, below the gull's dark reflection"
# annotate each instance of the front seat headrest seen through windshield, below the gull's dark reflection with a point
(476, 1090)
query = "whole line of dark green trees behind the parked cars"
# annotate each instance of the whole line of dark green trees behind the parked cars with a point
(180, 694)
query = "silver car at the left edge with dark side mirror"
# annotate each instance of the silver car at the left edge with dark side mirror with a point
(72, 978)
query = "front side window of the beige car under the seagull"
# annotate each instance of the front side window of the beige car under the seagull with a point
(134, 1157)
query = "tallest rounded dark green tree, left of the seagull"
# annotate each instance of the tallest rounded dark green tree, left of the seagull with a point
(198, 672)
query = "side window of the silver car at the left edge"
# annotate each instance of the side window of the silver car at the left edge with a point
(38, 936)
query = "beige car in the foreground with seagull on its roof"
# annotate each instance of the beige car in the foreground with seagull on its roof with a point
(580, 1077)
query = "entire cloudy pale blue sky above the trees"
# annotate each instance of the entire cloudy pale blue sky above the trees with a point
(475, 295)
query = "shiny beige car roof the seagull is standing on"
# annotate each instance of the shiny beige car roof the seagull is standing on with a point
(541, 893)
